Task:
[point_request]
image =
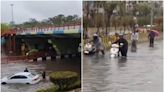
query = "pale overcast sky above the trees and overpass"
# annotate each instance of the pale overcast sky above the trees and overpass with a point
(23, 10)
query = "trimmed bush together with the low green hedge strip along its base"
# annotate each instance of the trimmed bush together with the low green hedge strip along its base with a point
(63, 81)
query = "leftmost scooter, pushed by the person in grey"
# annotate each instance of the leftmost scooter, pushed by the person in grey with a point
(89, 49)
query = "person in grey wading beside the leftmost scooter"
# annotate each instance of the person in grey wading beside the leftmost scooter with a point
(98, 44)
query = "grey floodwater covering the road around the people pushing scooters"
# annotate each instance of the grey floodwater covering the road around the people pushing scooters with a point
(141, 72)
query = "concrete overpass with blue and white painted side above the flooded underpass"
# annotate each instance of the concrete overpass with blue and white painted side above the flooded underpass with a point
(65, 40)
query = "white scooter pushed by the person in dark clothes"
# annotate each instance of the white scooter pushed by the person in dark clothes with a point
(114, 50)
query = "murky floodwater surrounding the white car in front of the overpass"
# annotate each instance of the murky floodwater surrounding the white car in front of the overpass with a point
(73, 64)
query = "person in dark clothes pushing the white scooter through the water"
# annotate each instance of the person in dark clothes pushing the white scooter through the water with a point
(123, 45)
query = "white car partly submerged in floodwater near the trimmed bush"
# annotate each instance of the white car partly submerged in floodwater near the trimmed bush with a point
(22, 77)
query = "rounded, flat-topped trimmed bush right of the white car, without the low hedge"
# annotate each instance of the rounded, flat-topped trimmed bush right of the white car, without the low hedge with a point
(63, 79)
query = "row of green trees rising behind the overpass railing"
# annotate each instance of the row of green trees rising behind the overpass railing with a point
(59, 20)
